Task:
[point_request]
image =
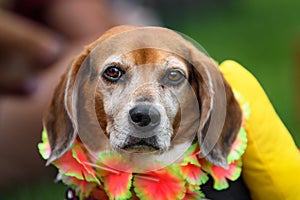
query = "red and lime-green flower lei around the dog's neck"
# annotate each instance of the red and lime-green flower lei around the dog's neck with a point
(181, 180)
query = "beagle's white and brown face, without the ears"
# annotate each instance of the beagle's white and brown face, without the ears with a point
(140, 92)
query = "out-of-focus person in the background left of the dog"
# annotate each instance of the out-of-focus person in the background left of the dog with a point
(38, 40)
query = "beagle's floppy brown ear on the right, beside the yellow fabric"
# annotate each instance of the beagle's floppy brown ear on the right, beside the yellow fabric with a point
(221, 116)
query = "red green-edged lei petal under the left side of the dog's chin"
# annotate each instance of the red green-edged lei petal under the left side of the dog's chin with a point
(117, 183)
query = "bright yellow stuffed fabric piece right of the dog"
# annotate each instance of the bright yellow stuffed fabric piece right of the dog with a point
(271, 163)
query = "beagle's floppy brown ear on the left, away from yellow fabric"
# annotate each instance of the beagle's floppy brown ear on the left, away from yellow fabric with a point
(58, 118)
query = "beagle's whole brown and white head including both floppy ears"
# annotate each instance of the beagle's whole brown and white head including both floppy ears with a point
(145, 95)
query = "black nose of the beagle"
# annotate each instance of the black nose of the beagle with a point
(144, 116)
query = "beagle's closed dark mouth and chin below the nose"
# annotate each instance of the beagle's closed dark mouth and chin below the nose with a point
(141, 145)
